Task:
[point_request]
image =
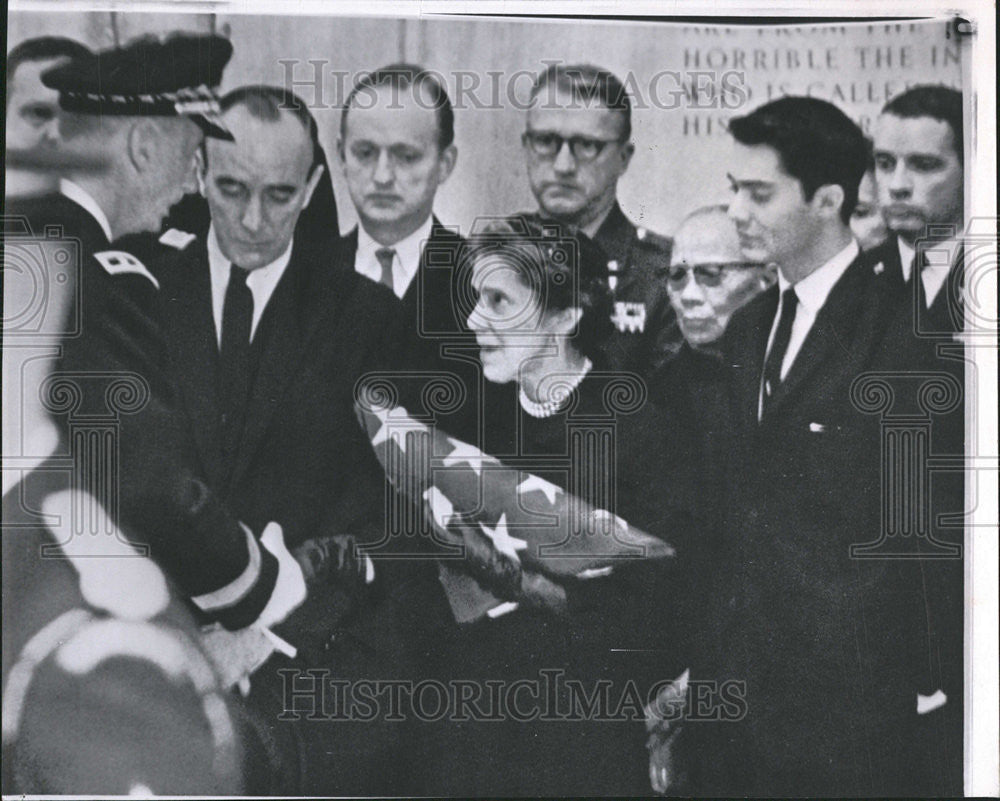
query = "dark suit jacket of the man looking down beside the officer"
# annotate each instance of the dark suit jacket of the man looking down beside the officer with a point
(303, 459)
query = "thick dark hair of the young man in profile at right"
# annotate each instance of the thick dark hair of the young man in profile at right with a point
(818, 144)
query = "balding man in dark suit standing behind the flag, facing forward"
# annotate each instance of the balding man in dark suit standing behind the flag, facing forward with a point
(397, 148)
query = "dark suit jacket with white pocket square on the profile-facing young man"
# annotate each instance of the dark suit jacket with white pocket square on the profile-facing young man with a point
(830, 649)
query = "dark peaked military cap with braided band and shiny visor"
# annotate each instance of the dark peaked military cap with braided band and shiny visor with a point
(148, 77)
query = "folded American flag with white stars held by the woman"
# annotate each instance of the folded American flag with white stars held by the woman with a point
(507, 521)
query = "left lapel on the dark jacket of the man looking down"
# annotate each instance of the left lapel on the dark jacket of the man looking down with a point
(195, 350)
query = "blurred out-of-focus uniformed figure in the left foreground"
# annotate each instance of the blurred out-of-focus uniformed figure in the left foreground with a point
(106, 688)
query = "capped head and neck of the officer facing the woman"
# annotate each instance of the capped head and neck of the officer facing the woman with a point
(142, 109)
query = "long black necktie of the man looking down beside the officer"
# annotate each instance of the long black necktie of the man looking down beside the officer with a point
(235, 373)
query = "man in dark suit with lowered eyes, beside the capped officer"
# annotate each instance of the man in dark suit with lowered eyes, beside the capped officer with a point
(268, 334)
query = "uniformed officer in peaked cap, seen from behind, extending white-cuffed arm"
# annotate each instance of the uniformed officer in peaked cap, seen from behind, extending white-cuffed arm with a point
(143, 109)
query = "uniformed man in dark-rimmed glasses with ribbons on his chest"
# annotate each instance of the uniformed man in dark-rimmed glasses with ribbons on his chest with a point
(577, 145)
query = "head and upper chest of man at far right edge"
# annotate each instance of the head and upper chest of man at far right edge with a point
(919, 162)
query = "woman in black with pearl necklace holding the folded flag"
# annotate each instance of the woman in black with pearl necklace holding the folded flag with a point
(541, 314)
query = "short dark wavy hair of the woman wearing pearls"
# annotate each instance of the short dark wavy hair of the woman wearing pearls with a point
(564, 269)
